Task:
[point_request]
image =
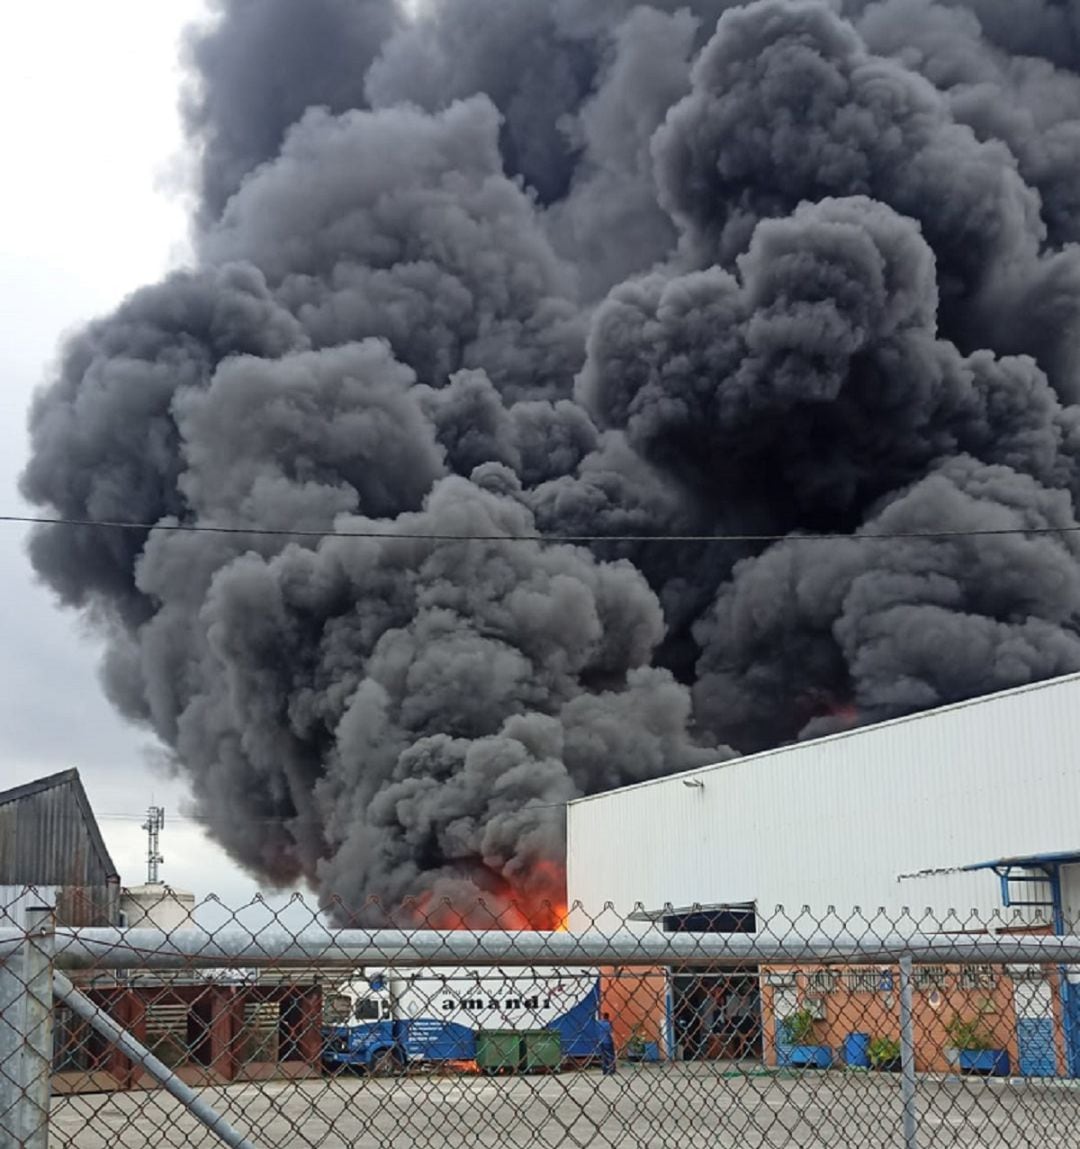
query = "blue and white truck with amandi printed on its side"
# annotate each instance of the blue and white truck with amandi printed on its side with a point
(383, 1022)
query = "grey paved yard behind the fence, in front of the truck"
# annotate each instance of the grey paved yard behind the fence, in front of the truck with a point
(675, 1107)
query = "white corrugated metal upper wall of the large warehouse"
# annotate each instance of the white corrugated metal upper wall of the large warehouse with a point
(855, 820)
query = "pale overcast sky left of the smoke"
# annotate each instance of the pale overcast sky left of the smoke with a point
(91, 134)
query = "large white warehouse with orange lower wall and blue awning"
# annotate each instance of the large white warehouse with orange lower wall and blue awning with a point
(963, 819)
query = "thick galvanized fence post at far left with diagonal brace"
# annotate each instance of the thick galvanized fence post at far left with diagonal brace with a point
(27, 1036)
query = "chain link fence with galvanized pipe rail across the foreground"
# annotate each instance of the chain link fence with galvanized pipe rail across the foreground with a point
(264, 1028)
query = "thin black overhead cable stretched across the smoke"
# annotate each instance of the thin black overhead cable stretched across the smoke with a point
(534, 537)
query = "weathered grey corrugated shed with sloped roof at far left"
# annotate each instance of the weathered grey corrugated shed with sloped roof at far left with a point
(50, 840)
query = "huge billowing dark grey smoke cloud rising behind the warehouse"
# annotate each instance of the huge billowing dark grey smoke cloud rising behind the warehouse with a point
(507, 267)
